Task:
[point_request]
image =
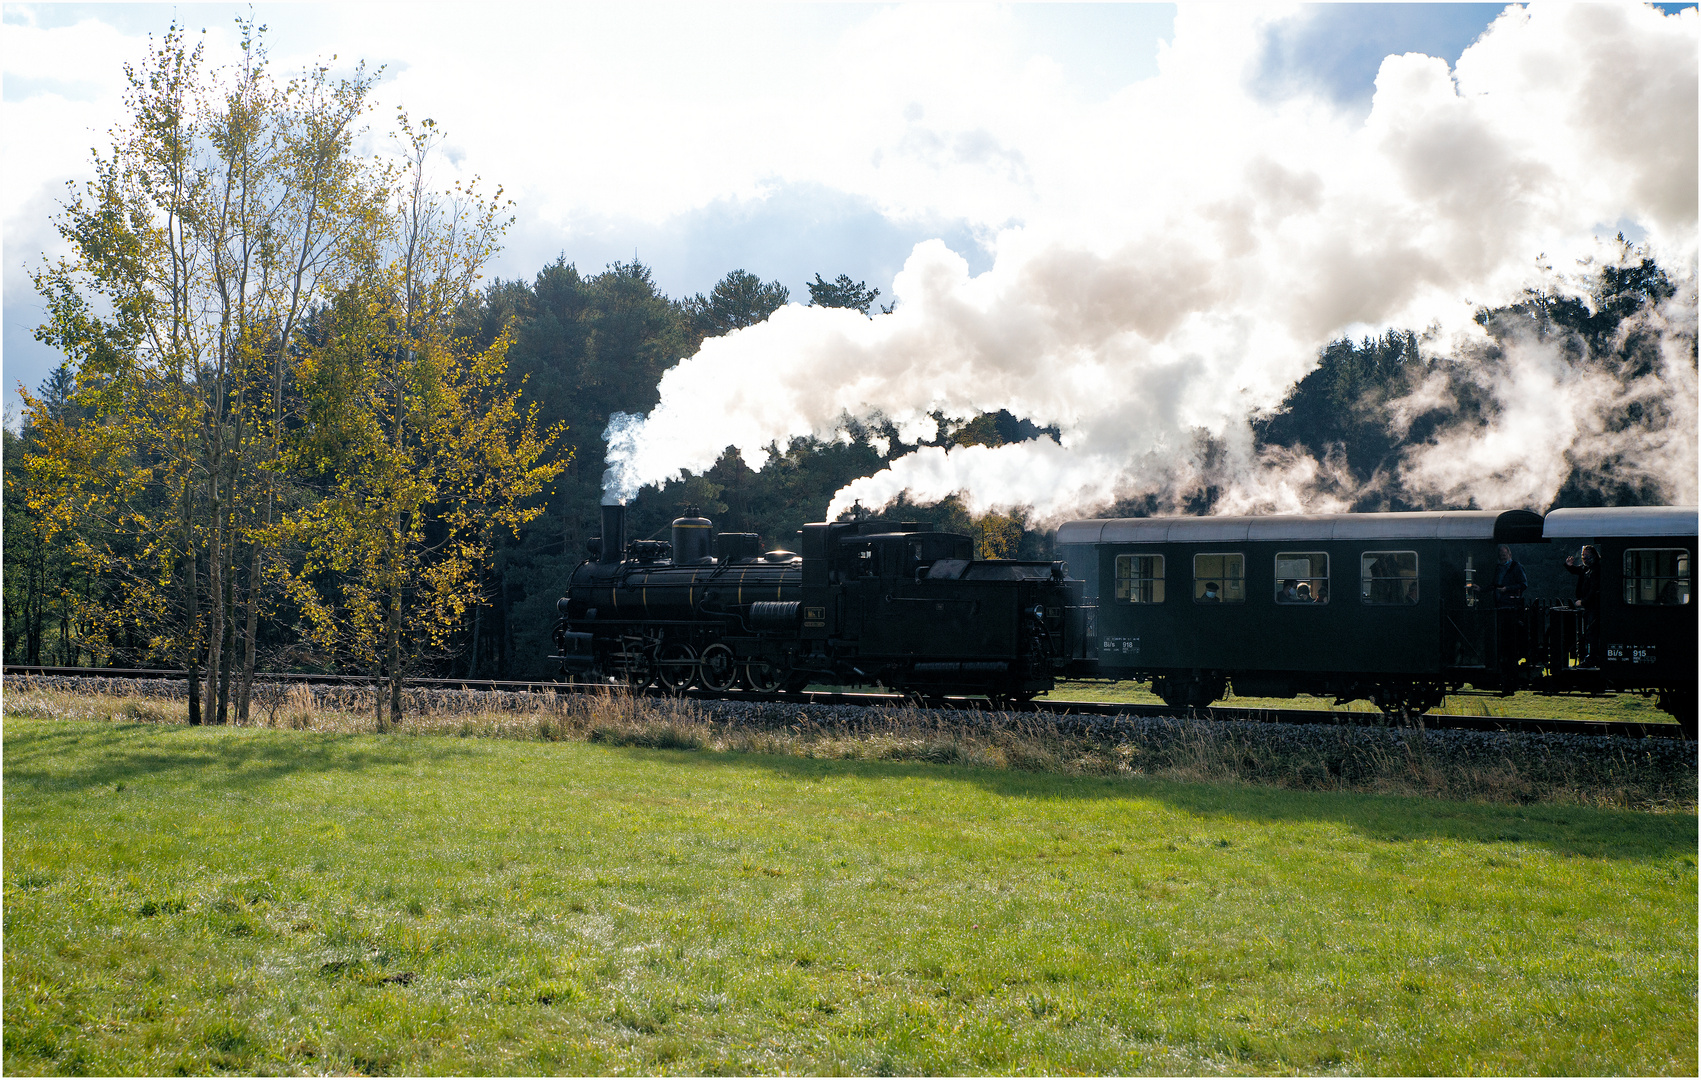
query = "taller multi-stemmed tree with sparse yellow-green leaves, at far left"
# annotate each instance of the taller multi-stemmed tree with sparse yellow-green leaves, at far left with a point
(225, 208)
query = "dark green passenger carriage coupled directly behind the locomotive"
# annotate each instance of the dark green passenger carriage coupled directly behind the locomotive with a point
(1396, 608)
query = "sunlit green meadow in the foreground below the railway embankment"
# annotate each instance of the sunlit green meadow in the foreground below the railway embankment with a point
(253, 901)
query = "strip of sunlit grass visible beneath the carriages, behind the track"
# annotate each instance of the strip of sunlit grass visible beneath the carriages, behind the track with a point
(1625, 708)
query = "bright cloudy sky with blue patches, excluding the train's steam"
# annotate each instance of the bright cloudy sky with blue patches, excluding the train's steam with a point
(780, 139)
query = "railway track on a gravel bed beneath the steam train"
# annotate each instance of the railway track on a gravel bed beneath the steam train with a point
(1079, 708)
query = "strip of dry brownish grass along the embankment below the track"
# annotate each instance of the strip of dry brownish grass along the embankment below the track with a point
(1642, 775)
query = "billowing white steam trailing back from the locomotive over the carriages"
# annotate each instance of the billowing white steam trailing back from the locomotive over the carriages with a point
(1181, 268)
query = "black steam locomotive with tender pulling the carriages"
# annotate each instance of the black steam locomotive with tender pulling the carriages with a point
(896, 605)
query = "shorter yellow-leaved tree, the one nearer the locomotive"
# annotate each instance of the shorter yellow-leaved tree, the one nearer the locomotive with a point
(419, 450)
